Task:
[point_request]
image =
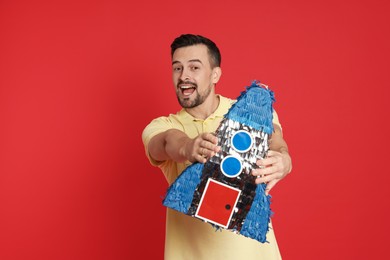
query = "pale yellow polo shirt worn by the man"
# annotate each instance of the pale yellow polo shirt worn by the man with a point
(188, 237)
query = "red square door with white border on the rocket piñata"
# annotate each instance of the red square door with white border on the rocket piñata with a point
(217, 203)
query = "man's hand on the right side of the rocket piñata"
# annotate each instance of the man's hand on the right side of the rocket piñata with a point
(272, 169)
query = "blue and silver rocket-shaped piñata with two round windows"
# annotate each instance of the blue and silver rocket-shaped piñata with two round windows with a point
(223, 191)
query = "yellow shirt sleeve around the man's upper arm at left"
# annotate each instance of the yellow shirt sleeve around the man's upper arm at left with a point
(157, 126)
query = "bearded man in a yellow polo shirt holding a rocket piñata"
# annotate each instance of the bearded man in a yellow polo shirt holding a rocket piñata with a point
(174, 142)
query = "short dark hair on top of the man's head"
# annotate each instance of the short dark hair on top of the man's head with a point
(185, 40)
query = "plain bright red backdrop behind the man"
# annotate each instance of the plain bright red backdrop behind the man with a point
(79, 80)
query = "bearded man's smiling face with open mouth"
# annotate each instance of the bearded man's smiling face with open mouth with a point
(192, 75)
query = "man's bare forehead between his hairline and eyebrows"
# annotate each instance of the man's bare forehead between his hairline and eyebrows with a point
(189, 53)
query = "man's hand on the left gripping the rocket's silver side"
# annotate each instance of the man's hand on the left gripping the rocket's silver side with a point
(201, 148)
